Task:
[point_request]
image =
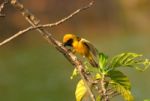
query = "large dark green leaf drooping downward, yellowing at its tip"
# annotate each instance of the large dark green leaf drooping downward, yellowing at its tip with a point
(121, 84)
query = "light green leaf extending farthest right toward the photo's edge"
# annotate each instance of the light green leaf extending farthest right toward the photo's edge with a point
(129, 60)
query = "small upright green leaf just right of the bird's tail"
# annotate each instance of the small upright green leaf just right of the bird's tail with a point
(102, 60)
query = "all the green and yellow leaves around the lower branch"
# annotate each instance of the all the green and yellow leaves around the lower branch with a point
(117, 81)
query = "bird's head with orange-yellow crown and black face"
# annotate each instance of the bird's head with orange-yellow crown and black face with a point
(68, 39)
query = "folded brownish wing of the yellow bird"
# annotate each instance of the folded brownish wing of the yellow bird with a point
(91, 47)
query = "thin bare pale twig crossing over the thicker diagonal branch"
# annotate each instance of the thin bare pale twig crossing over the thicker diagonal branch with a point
(47, 25)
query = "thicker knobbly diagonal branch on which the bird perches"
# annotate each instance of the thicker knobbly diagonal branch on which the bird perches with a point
(58, 45)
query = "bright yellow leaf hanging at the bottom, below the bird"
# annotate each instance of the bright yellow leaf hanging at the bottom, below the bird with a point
(81, 90)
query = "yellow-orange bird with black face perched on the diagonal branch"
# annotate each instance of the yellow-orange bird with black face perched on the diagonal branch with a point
(83, 47)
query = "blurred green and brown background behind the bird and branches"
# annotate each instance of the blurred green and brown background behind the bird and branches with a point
(33, 70)
